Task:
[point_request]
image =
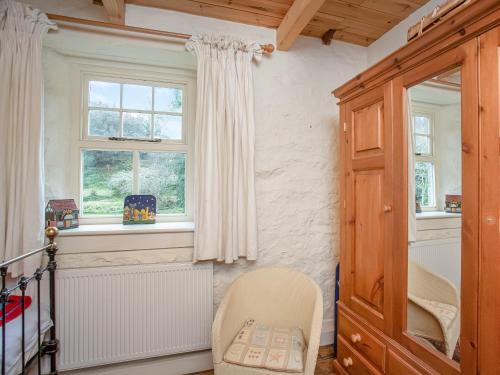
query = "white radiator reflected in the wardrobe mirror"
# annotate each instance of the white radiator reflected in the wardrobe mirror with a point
(442, 257)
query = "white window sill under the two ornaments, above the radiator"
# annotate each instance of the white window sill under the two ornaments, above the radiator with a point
(120, 229)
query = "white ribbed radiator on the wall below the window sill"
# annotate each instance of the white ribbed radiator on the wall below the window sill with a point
(115, 314)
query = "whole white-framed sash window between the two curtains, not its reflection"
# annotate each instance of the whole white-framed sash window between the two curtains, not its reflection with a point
(134, 141)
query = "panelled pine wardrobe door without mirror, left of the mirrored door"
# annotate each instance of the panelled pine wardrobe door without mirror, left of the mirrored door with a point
(365, 255)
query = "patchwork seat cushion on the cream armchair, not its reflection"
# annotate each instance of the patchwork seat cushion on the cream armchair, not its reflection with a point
(263, 346)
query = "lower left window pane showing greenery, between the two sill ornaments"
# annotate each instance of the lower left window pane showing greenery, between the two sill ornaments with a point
(107, 180)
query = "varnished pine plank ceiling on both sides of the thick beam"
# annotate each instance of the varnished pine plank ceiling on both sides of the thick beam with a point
(354, 21)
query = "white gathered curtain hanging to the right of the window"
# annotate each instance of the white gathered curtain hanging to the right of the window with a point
(225, 218)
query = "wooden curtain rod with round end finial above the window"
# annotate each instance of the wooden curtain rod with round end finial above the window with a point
(266, 48)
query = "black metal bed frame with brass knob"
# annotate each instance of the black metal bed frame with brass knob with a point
(47, 347)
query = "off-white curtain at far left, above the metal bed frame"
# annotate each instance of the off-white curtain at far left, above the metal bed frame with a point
(21, 132)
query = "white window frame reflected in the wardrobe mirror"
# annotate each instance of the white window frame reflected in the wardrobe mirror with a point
(430, 158)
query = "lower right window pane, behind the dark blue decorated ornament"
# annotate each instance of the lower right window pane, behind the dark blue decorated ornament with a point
(162, 174)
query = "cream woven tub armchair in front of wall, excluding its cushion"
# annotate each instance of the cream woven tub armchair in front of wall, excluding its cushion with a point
(278, 297)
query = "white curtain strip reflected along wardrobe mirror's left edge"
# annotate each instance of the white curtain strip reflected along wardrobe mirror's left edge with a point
(412, 216)
